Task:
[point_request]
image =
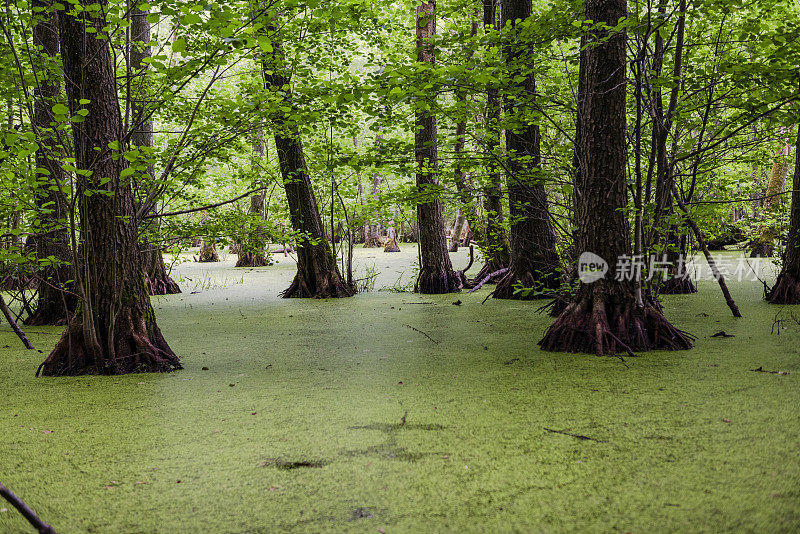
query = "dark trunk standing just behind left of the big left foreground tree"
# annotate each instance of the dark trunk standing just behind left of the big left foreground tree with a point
(54, 305)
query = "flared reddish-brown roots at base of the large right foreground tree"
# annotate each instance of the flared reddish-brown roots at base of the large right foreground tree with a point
(597, 323)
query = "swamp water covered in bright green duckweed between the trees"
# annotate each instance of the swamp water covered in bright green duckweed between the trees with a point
(395, 412)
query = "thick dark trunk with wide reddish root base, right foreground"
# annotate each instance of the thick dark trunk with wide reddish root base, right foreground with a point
(603, 317)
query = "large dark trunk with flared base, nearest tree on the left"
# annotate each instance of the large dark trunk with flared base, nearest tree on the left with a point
(114, 329)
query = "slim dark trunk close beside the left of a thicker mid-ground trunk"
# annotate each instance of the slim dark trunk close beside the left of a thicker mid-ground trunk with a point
(495, 245)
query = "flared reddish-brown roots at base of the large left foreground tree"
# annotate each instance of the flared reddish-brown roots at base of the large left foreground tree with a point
(135, 351)
